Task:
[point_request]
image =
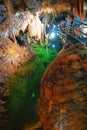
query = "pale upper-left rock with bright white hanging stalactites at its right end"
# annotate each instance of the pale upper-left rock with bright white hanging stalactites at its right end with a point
(22, 21)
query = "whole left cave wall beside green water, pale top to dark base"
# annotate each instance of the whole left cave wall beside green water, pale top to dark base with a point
(12, 56)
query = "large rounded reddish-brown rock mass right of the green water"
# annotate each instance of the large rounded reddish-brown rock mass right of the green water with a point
(63, 94)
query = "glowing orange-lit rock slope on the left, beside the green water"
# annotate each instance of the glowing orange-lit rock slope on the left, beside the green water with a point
(12, 55)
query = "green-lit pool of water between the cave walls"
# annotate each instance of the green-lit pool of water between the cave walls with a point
(24, 87)
